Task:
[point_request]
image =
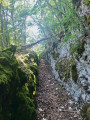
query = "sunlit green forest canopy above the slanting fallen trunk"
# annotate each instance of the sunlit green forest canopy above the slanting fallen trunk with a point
(27, 21)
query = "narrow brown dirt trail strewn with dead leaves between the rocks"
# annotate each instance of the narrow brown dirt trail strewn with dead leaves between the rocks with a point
(53, 102)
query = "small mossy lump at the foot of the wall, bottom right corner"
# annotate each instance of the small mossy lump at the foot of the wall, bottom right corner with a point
(85, 111)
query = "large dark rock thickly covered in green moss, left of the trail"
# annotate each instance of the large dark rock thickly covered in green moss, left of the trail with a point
(17, 87)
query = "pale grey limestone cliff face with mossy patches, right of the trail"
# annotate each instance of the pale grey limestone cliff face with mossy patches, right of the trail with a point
(71, 63)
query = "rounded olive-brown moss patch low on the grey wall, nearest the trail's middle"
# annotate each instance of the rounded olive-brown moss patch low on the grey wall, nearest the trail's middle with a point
(64, 67)
